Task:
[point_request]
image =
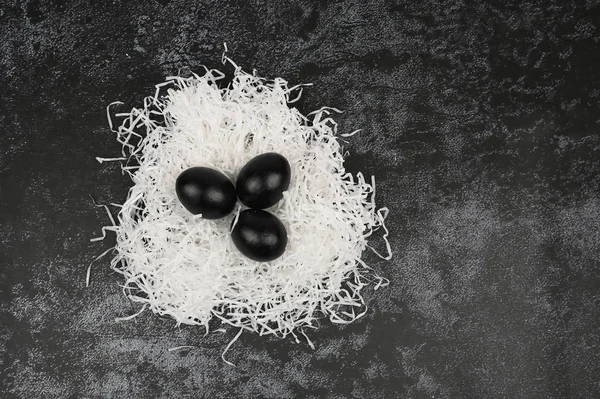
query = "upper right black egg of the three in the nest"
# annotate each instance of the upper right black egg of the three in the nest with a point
(262, 181)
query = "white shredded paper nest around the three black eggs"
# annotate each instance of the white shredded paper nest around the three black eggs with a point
(183, 266)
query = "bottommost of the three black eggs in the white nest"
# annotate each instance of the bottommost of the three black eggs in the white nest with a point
(259, 235)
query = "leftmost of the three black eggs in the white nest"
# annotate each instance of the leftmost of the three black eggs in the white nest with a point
(206, 191)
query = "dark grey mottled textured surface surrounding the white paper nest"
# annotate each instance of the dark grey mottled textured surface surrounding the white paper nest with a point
(480, 121)
